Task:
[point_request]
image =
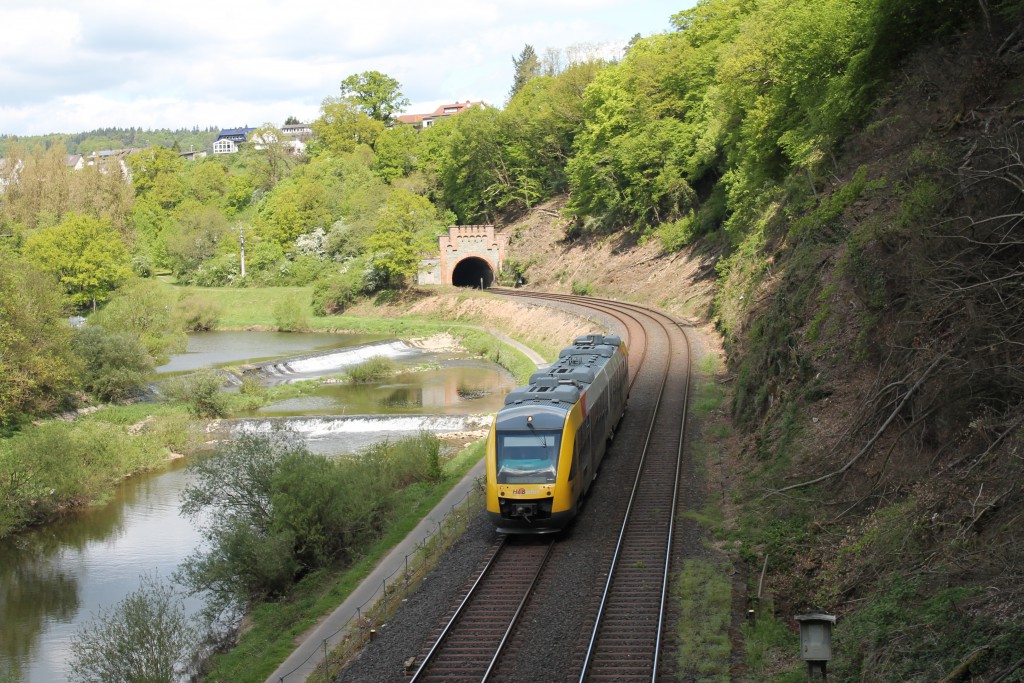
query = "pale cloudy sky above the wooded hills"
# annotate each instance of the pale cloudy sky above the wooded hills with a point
(73, 66)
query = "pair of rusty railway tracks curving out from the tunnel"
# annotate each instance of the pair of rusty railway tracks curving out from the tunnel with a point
(623, 627)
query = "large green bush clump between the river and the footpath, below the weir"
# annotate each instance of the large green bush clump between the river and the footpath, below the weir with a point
(273, 513)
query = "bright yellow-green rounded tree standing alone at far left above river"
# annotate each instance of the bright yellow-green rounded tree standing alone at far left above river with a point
(86, 254)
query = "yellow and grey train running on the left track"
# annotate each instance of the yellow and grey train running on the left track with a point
(547, 443)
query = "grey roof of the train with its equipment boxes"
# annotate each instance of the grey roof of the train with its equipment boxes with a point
(565, 381)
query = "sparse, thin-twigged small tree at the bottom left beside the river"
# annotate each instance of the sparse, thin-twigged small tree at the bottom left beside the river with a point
(146, 638)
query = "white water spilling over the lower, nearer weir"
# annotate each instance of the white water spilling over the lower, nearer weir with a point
(351, 433)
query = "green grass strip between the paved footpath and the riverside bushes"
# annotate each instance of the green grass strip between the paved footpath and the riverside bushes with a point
(277, 626)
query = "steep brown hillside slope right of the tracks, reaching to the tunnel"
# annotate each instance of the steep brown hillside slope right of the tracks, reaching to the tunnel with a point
(873, 334)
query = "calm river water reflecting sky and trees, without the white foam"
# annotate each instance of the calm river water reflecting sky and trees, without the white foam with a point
(55, 580)
